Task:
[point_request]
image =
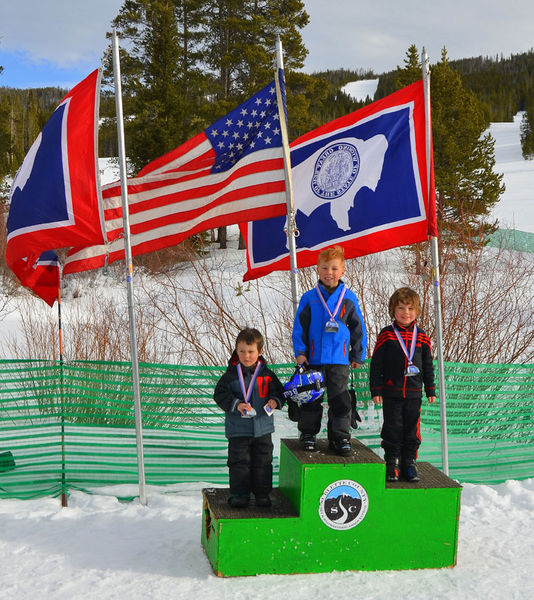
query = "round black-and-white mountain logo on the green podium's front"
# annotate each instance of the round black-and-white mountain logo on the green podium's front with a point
(343, 504)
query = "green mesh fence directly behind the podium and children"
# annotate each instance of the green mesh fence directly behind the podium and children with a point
(72, 426)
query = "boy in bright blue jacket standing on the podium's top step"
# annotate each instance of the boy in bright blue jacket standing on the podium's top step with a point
(329, 335)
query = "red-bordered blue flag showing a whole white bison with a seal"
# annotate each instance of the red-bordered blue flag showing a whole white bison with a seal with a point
(359, 181)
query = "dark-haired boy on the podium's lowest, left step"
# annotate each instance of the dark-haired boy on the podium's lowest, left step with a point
(248, 392)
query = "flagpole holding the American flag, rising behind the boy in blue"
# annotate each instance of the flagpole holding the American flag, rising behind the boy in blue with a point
(291, 224)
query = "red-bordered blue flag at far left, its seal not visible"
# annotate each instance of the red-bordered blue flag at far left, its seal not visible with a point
(54, 199)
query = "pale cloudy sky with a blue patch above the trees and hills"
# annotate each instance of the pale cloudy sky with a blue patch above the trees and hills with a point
(56, 43)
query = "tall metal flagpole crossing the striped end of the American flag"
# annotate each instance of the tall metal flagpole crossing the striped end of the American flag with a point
(129, 264)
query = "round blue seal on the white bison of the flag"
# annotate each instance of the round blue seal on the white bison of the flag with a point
(335, 170)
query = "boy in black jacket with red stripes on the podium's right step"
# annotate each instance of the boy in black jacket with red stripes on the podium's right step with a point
(400, 366)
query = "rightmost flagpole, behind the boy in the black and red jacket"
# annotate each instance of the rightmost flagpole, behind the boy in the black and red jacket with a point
(436, 277)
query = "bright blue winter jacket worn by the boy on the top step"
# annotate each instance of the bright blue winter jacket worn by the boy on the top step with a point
(348, 344)
